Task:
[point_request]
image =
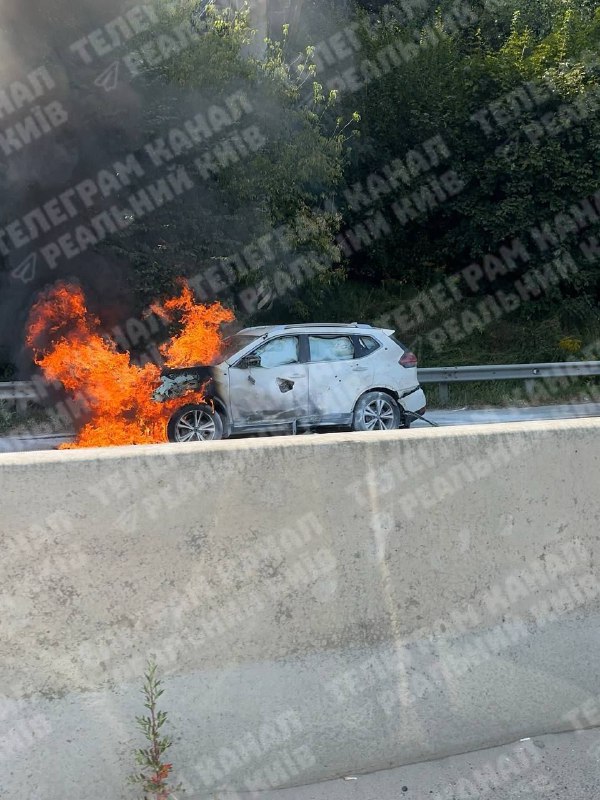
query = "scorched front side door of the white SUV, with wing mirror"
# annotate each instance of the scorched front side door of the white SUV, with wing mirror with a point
(270, 387)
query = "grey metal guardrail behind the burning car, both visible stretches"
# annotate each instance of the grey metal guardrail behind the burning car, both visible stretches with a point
(22, 392)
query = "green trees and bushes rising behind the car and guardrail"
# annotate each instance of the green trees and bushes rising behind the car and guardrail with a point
(516, 175)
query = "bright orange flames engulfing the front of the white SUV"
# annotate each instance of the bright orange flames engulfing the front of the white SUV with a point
(69, 346)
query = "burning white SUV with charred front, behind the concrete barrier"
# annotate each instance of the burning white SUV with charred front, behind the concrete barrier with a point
(285, 378)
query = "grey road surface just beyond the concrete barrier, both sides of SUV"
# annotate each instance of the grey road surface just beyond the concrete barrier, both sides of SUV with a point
(461, 416)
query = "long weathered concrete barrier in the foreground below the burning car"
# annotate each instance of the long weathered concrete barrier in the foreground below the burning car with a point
(318, 606)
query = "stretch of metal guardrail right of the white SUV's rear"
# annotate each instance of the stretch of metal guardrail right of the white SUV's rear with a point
(444, 376)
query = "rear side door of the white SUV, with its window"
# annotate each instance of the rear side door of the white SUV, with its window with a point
(337, 376)
